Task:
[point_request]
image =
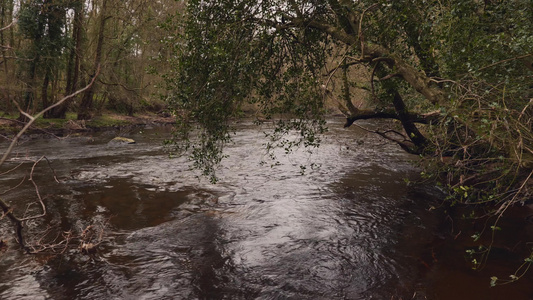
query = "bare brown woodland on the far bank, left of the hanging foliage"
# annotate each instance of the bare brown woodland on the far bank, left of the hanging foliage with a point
(51, 49)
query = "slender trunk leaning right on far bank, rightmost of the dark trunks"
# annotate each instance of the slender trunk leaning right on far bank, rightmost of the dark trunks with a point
(86, 106)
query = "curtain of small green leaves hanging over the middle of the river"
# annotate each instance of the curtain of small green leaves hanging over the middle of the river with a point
(227, 61)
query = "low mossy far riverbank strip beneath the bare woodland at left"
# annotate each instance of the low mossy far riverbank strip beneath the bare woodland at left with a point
(10, 126)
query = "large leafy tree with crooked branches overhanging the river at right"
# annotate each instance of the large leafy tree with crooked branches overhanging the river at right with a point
(456, 75)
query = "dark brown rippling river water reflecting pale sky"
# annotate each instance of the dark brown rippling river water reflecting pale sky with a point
(349, 228)
